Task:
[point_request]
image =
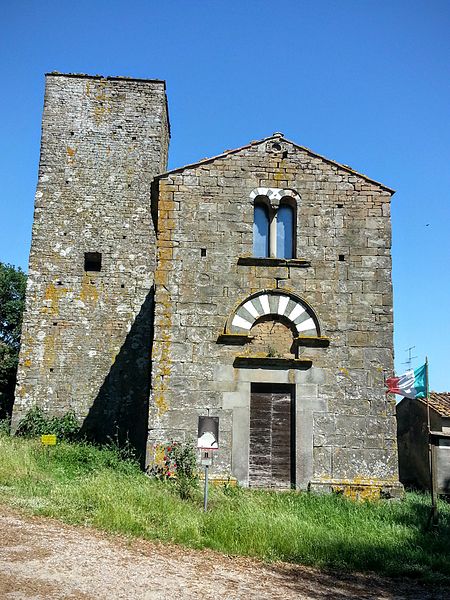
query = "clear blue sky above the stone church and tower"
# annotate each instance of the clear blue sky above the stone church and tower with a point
(364, 82)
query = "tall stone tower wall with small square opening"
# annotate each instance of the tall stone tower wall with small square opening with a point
(87, 335)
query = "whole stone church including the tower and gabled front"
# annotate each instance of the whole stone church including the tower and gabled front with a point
(254, 286)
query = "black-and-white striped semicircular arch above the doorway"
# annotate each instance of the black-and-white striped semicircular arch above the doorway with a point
(277, 303)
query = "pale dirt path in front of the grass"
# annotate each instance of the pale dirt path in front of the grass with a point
(41, 558)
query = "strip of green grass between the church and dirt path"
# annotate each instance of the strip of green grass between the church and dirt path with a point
(80, 484)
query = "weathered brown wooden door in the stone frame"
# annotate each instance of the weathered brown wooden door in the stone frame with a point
(271, 436)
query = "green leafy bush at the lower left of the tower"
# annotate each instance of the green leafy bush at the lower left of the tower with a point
(36, 423)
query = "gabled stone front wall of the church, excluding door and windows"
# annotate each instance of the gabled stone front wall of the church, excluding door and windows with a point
(346, 425)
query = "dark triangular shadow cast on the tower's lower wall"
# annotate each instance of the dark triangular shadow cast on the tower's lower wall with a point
(119, 414)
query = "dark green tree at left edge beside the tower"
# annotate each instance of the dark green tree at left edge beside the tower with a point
(12, 299)
